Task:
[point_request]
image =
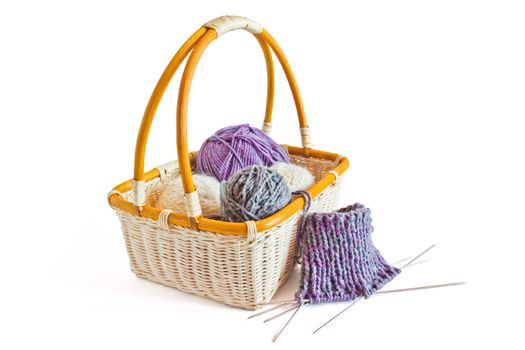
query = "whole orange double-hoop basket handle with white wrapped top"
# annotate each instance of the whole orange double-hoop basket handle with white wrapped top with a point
(197, 43)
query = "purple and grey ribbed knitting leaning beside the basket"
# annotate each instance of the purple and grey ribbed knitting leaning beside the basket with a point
(339, 260)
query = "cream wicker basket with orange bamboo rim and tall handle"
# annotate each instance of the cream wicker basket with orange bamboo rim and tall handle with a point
(239, 264)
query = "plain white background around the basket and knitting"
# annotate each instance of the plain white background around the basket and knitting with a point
(426, 98)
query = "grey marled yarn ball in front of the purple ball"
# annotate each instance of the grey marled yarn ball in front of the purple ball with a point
(254, 193)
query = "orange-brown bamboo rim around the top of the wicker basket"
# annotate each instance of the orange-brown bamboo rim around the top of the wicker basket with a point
(118, 202)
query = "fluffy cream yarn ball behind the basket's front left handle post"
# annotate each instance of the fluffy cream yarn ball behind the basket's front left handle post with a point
(172, 196)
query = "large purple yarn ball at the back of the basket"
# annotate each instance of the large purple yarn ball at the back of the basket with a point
(235, 147)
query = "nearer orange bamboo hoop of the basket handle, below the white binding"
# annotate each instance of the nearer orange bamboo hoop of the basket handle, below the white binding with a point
(192, 201)
